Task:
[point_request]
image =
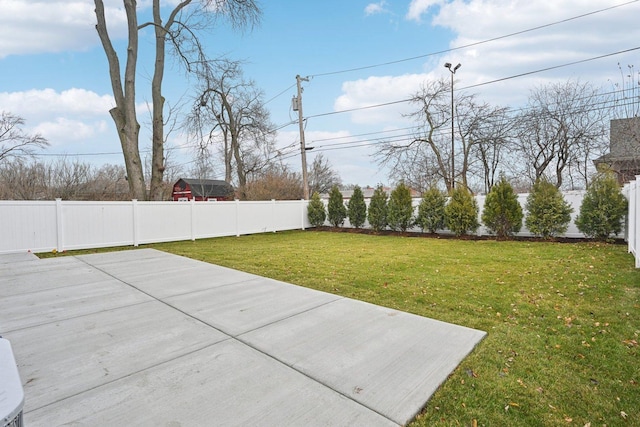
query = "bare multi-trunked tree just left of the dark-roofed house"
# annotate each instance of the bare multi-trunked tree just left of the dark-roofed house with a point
(563, 124)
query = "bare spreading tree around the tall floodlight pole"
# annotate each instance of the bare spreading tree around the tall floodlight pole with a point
(481, 132)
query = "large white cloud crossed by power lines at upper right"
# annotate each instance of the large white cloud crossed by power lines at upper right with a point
(474, 21)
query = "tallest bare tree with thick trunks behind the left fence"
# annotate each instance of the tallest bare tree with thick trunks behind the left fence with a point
(180, 28)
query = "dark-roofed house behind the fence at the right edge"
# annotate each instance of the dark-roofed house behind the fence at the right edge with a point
(624, 149)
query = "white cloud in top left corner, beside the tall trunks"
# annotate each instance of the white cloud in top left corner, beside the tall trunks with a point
(30, 27)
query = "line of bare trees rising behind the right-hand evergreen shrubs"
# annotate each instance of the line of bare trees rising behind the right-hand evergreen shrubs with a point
(555, 136)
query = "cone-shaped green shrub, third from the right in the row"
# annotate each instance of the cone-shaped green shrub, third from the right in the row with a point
(502, 214)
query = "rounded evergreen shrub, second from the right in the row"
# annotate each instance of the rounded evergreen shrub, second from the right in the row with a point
(548, 214)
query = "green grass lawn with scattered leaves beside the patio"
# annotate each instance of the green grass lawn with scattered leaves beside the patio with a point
(563, 320)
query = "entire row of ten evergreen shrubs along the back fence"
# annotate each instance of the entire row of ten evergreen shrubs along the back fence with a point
(547, 212)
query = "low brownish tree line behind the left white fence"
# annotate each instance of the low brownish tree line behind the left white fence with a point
(24, 178)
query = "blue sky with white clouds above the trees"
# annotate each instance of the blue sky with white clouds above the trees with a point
(53, 71)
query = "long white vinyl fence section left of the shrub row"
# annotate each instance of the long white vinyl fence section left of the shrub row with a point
(42, 226)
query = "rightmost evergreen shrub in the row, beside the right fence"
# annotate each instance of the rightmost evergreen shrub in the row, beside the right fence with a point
(603, 208)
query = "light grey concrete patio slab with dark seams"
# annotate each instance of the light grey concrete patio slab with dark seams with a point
(149, 338)
